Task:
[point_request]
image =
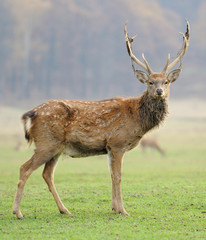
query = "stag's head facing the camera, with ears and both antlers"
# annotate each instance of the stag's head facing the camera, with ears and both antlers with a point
(158, 83)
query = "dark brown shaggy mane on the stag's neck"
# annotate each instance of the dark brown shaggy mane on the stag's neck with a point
(152, 112)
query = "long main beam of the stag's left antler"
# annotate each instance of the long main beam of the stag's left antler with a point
(129, 50)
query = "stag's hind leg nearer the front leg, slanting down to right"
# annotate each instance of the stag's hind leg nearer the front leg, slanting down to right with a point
(48, 175)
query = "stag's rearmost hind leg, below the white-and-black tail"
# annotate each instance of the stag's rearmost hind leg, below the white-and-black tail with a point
(39, 158)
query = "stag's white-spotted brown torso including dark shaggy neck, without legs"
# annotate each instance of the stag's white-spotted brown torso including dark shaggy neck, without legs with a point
(96, 130)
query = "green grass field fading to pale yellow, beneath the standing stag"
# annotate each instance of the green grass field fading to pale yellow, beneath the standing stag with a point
(165, 196)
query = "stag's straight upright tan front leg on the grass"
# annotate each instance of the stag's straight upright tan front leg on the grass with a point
(115, 163)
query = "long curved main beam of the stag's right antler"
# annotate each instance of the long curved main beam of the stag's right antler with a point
(186, 38)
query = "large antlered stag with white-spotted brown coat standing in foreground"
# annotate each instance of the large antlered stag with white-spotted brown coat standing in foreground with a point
(87, 128)
